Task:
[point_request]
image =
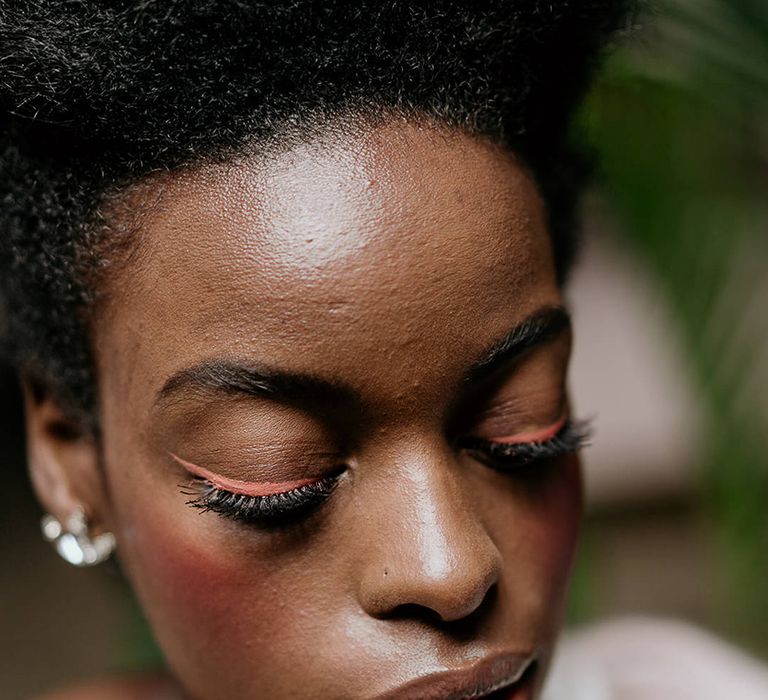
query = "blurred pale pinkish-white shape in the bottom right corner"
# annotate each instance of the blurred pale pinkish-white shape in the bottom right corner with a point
(646, 659)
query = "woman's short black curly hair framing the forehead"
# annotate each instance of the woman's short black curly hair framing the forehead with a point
(96, 95)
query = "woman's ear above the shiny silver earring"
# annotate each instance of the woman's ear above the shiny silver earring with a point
(64, 459)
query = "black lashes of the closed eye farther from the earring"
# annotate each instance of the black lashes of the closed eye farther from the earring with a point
(509, 457)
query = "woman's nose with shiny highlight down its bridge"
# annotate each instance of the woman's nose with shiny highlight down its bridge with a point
(429, 554)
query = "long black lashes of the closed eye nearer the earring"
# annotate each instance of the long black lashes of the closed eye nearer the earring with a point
(271, 510)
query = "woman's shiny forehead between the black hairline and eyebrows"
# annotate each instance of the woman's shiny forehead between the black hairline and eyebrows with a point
(357, 254)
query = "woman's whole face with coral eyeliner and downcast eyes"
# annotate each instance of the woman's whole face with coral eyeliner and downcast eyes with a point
(354, 322)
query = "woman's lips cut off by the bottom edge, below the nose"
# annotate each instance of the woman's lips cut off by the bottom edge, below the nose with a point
(495, 673)
